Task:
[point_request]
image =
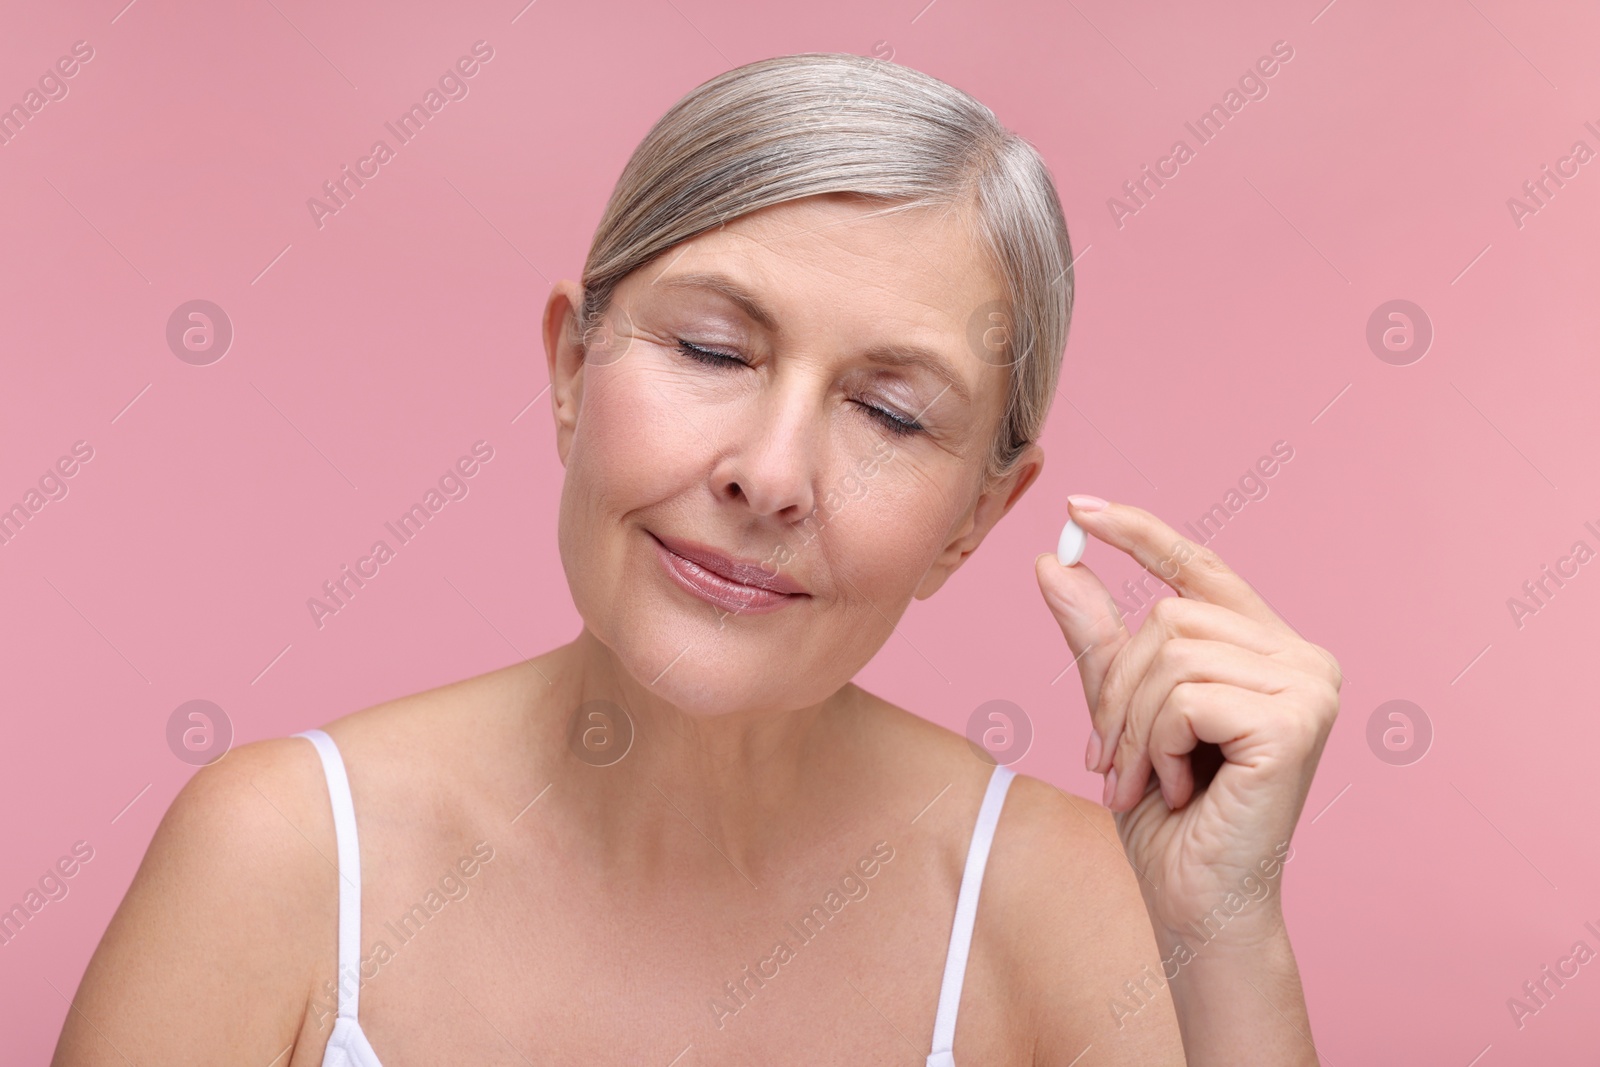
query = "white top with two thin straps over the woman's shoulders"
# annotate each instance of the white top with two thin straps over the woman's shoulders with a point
(350, 1047)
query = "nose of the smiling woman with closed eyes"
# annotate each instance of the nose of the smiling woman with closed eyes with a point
(775, 455)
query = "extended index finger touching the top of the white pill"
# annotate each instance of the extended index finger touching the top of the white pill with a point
(1191, 570)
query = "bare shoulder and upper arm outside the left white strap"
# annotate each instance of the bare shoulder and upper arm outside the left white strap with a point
(210, 953)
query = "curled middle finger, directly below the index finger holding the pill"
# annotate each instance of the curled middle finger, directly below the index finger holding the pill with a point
(1172, 617)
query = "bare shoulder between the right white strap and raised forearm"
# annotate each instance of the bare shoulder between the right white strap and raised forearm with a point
(1070, 913)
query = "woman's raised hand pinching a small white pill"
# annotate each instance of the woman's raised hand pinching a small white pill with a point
(1214, 666)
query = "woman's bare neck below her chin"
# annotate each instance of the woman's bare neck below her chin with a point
(742, 786)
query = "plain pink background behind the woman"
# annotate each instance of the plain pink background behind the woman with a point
(1226, 316)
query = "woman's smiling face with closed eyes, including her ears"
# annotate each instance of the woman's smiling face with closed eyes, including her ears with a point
(754, 393)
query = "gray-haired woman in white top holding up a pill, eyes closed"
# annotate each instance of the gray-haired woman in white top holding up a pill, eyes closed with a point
(804, 377)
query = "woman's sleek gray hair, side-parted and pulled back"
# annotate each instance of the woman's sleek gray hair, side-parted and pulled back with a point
(814, 124)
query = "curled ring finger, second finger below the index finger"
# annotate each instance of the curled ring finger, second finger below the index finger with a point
(1183, 660)
